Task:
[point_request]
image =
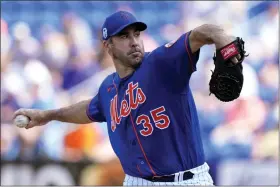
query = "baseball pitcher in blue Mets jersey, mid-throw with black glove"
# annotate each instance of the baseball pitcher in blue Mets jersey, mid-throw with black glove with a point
(148, 104)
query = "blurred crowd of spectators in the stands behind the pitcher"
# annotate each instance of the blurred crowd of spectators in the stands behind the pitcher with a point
(51, 57)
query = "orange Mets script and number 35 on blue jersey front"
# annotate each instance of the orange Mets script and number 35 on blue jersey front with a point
(156, 117)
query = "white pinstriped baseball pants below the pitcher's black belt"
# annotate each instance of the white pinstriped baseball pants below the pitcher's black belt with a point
(201, 177)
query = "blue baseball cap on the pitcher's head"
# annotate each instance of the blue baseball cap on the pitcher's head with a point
(116, 22)
